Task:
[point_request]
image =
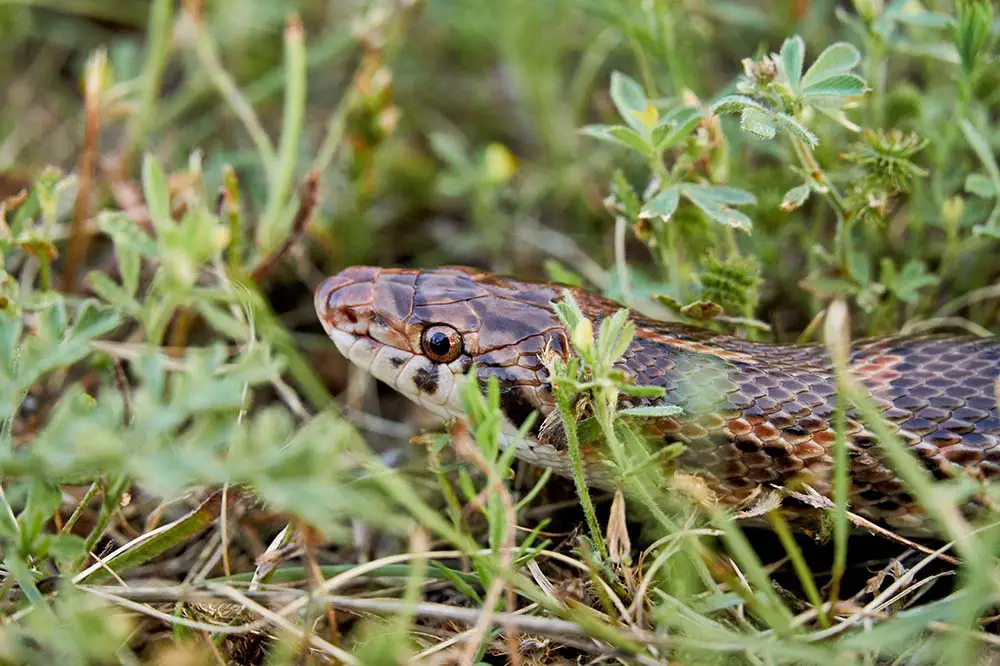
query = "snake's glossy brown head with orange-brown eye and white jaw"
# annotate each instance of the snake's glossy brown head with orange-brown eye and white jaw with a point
(420, 332)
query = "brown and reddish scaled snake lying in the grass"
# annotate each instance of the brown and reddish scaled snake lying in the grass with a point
(754, 417)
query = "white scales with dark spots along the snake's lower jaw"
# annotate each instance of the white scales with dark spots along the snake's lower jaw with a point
(411, 375)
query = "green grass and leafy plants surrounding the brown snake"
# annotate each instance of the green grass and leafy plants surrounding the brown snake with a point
(192, 474)
